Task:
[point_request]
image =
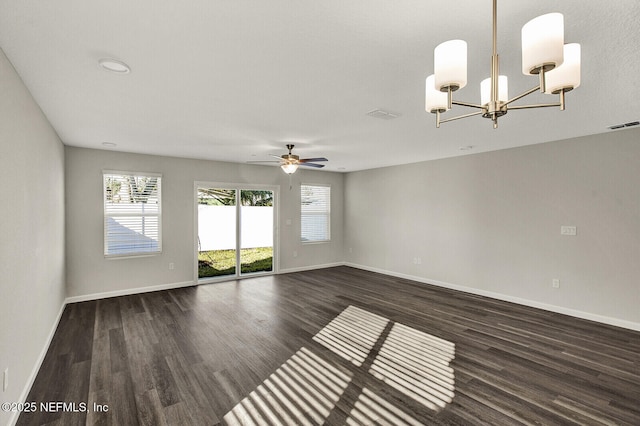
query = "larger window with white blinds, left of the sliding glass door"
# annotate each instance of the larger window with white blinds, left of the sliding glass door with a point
(132, 214)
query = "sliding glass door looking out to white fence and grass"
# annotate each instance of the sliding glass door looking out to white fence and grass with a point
(235, 231)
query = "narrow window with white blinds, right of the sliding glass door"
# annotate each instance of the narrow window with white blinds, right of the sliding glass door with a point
(315, 209)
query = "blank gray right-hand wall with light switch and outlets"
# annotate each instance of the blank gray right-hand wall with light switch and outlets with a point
(490, 223)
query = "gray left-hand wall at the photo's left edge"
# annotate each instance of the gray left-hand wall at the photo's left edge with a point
(32, 287)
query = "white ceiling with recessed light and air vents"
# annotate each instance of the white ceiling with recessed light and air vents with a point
(237, 80)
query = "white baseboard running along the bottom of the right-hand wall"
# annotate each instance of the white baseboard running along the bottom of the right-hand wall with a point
(499, 296)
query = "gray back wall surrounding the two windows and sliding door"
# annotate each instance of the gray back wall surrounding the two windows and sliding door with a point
(89, 273)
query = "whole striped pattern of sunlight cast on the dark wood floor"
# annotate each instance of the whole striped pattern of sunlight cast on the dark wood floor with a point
(306, 388)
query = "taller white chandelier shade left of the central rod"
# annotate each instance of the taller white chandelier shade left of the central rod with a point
(450, 65)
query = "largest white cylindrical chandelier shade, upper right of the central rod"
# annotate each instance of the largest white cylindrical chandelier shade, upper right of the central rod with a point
(542, 43)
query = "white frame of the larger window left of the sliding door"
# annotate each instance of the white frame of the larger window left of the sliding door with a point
(107, 214)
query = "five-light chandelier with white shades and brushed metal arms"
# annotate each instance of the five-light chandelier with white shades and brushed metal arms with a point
(543, 53)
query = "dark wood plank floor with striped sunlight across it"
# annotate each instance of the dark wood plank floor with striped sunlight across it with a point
(334, 346)
